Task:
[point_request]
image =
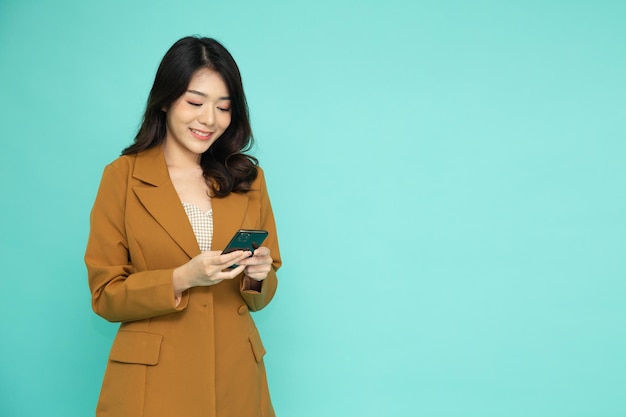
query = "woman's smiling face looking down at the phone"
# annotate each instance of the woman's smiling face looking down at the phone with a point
(199, 116)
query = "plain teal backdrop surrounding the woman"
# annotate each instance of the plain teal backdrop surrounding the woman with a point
(448, 179)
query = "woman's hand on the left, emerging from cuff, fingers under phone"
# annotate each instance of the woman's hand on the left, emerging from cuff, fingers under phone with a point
(207, 268)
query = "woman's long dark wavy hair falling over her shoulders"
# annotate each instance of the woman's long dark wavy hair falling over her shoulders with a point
(226, 166)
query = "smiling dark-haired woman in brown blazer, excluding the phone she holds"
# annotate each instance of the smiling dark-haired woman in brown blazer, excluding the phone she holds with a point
(187, 345)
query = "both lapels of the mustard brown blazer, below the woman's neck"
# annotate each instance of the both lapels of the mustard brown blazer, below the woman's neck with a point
(158, 195)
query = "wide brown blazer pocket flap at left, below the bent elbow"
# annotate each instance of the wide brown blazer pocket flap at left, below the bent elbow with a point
(136, 347)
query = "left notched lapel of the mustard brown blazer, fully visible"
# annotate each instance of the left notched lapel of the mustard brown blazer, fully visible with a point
(159, 197)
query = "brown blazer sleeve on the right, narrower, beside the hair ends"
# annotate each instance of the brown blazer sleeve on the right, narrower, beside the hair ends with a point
(257, 300)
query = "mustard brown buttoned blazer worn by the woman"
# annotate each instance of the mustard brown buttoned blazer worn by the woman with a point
(204, 357)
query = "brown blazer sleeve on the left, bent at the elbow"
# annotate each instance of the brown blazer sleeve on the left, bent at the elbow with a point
(118, 292)
